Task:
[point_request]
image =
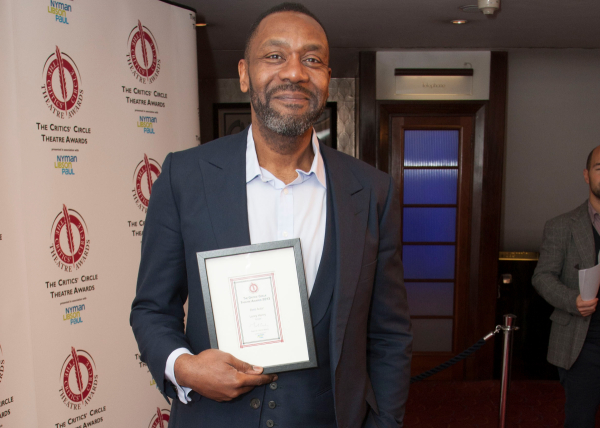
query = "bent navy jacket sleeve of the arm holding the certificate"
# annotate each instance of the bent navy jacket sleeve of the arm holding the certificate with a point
(157, 314)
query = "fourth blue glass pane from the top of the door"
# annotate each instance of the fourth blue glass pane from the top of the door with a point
(428, 261)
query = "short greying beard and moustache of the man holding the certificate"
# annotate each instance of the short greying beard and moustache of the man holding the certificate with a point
(286, 125)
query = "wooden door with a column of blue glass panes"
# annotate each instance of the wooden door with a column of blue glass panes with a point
(431, 160)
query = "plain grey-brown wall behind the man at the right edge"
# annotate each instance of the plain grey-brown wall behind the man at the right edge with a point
(553, 121)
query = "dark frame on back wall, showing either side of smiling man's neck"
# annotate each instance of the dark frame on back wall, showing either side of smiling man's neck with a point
(231, 118)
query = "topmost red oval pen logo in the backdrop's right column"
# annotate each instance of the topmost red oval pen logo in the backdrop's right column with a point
(142, 55)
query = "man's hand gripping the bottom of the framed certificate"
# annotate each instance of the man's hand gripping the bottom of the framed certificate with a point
(218, 375)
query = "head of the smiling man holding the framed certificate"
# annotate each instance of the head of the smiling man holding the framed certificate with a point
(287, 73)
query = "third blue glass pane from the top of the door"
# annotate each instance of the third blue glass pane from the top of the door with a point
(429, 225)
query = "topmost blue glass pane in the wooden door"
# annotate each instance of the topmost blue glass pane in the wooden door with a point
(431, 148)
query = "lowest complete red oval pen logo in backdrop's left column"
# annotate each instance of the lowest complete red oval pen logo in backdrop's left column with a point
(78, 379)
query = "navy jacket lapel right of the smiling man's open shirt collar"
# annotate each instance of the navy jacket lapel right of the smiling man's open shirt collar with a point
(350, 205)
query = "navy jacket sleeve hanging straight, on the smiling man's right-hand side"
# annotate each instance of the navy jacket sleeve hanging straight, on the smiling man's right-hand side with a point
(389, 336)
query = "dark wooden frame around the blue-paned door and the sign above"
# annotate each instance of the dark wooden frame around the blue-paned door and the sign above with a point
(486, 205)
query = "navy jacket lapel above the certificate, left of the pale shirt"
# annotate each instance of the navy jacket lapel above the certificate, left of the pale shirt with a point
(224, 175)
